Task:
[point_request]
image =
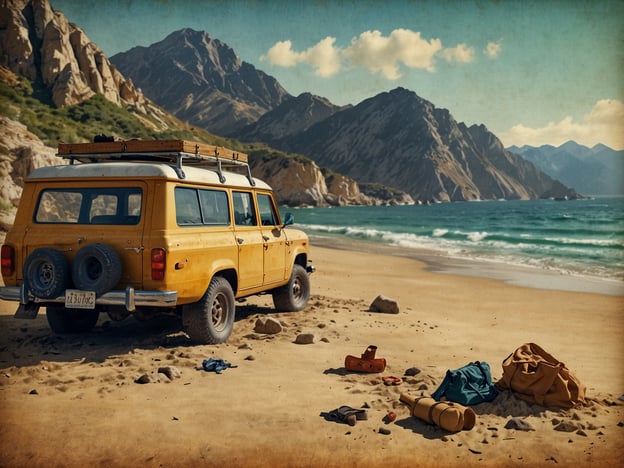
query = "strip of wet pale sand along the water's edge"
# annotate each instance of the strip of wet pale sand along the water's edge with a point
(513, 274)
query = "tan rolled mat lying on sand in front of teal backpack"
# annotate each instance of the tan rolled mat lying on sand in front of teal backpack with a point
(445, 414)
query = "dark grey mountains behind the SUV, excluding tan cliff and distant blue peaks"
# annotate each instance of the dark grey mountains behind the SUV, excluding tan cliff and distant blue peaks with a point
(395, 138)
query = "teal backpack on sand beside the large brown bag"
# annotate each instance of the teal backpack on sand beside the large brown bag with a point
(468, 385)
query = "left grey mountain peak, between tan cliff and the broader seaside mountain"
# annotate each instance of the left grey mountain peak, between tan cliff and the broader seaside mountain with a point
(201, 80)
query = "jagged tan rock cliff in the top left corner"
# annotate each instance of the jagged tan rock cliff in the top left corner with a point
(40, 44)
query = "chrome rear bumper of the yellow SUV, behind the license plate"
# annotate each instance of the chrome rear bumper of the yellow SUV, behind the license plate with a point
(129, 298)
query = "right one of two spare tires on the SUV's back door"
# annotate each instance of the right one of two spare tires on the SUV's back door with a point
(96, 267)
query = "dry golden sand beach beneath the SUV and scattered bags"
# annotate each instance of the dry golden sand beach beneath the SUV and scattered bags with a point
(74, 400)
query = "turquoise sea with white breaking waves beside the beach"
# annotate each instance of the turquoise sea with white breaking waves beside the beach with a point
(584, 237)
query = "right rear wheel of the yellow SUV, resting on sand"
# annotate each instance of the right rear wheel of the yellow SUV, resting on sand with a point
(211, 319)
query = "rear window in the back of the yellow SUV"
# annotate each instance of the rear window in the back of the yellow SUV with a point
(116, 206)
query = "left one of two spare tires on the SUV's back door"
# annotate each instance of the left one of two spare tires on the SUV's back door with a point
(46, 273)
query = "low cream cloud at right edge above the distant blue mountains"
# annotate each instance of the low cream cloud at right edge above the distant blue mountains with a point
(603, 124)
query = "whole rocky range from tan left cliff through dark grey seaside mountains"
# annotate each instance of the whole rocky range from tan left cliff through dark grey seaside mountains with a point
(395, 139)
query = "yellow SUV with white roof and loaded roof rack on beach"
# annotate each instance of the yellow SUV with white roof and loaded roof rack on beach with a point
(150, 227)
